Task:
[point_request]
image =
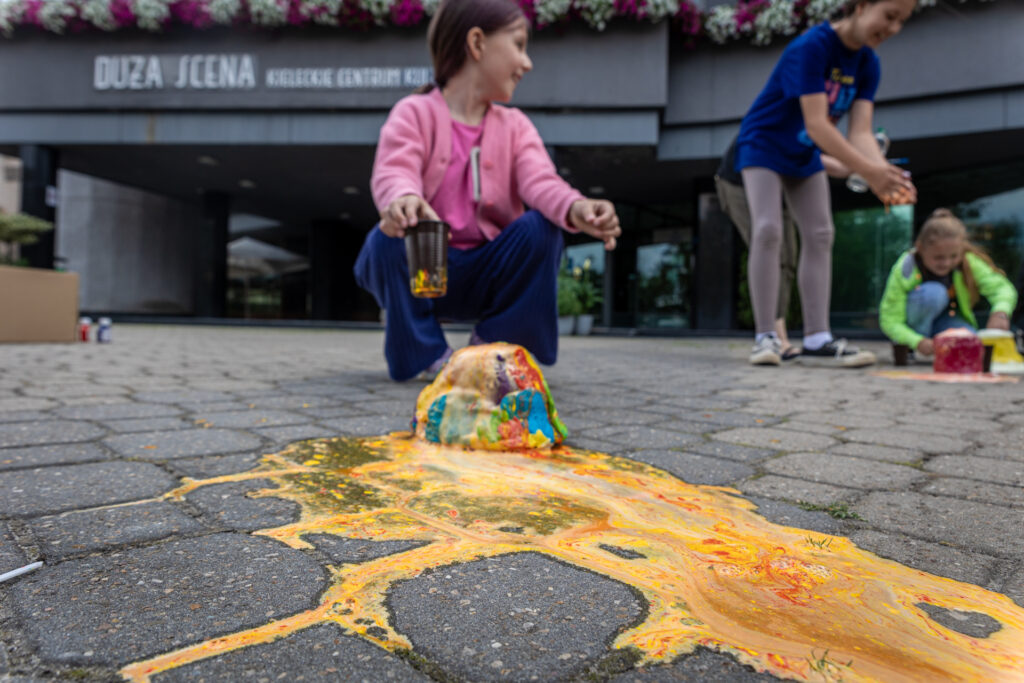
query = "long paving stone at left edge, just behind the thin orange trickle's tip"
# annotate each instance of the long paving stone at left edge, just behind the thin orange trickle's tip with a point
(52, 490)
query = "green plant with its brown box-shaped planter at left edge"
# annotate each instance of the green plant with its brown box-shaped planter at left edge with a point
(36, 305)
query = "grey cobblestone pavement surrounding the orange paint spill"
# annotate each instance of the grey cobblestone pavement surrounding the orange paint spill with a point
(927, 475)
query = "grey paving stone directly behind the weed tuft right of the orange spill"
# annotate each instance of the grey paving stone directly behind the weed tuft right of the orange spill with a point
(845, 472)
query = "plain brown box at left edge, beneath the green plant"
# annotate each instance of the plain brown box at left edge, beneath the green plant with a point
(37, 306)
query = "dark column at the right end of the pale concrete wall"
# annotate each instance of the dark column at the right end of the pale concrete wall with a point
(211, 257)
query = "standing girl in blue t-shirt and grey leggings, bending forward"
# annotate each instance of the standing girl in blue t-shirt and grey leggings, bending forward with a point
(832, 69)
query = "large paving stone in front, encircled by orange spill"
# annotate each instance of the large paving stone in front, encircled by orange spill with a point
(504, 619)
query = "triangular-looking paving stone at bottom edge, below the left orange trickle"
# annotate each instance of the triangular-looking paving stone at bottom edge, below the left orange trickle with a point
(322, 653)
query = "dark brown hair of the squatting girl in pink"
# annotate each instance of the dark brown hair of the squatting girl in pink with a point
(454, 19)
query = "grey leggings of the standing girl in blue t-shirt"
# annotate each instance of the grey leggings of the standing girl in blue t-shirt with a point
(812, 206)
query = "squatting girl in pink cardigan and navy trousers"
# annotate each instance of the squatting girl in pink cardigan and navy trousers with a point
(450, 153)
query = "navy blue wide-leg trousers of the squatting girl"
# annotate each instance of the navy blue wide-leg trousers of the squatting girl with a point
(509, 285)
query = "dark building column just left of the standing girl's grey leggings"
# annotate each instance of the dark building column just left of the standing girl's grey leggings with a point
(715, 277)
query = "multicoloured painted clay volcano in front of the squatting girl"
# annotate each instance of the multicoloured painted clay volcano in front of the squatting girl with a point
(491, 397)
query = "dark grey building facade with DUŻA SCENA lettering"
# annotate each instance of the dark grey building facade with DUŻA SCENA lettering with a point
(226, 173)
